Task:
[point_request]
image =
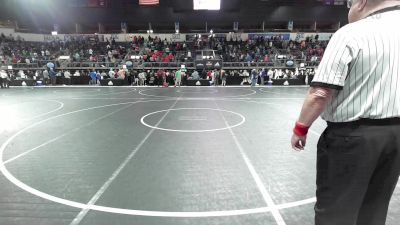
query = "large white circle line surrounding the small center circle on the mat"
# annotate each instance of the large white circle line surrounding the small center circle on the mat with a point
(79, 205)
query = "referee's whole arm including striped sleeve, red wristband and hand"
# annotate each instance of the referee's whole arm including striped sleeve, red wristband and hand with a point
(331, 76)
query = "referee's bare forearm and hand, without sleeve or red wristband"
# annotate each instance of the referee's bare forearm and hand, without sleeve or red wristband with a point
(314, 105)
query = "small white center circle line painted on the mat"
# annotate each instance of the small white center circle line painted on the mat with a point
(193, 131)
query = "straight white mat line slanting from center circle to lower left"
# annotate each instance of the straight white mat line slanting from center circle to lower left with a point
(107, 184)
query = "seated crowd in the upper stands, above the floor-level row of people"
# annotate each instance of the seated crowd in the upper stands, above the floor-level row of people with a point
(154, 49)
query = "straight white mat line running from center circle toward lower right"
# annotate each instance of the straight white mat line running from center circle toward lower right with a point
(261, 187)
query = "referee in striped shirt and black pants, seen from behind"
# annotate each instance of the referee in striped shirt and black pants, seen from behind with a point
(357, 91)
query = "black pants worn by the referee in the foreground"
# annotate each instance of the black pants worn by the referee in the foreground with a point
(358, 166)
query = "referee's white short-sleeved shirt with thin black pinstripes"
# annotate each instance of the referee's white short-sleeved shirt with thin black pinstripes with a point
(362, 62)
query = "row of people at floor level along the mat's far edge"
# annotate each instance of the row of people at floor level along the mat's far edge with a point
(155, 77)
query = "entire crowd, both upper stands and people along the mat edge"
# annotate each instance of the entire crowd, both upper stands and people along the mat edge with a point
(154, 49)
